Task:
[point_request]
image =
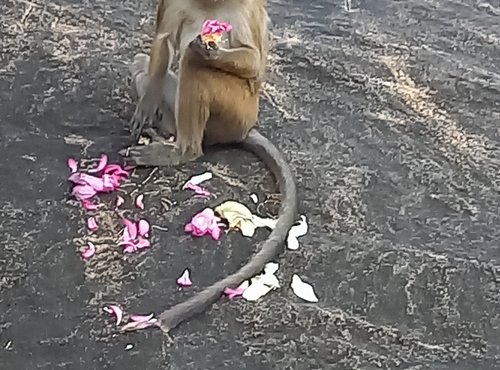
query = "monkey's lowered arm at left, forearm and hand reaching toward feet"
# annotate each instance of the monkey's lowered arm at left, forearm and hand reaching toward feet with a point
(150, 108)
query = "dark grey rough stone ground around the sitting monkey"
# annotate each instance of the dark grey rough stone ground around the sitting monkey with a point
(389, 116)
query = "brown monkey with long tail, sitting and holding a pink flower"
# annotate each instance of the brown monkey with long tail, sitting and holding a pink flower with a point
(214, 99)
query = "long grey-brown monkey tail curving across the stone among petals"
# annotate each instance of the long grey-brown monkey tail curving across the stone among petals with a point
(269, 248)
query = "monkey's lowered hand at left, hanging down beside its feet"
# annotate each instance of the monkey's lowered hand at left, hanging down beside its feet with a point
(149, 110)
